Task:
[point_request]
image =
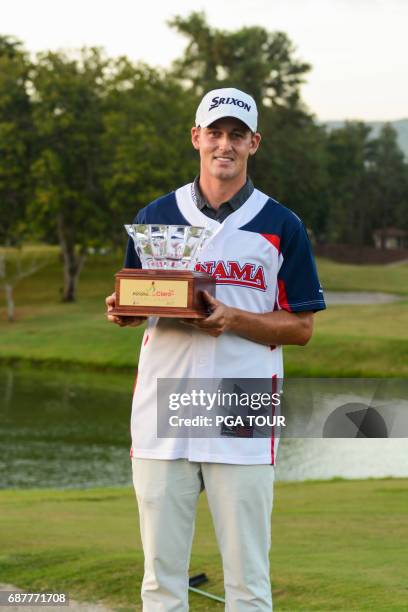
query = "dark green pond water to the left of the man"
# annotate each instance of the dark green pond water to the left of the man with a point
(64, 429)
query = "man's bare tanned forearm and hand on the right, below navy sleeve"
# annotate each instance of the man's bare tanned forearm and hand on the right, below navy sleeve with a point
(278, 327)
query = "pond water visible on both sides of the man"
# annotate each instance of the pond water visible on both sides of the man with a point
(67, 430)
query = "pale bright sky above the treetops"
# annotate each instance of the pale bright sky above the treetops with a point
(358, 48)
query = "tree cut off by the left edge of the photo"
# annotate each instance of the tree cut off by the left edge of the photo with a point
(16, 151)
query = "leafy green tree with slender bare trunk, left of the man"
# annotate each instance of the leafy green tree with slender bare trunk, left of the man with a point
(69, 200)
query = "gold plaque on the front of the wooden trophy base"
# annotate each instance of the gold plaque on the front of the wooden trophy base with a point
(141, 292)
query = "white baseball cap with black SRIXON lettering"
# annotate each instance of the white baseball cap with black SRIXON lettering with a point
(227, 102)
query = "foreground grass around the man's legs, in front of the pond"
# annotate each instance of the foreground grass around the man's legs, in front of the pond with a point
(338, 545)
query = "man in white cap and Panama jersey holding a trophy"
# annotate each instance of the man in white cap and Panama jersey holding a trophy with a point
(267, 291)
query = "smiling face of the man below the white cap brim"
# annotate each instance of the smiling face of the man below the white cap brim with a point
(224, 148)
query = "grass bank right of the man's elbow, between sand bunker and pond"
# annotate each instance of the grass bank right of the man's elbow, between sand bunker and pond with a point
(353, 341)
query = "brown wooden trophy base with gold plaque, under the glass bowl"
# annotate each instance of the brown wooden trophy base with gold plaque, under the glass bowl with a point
(163, 293)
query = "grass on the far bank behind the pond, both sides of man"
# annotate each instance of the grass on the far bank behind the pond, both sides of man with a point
(348, 340)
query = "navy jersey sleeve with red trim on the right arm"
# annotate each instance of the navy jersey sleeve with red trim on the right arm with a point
(298, 287)
